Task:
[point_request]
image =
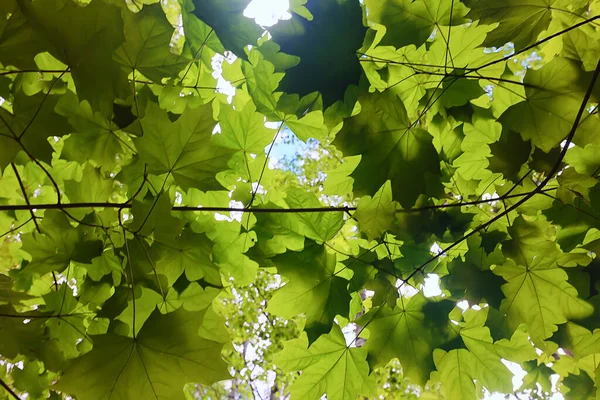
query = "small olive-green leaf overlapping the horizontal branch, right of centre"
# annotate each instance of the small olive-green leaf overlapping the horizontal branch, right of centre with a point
(376, 215)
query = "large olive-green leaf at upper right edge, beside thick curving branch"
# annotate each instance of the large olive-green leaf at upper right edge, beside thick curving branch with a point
(554, 95)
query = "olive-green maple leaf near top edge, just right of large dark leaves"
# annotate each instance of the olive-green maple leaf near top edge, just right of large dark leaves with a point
(147, 45)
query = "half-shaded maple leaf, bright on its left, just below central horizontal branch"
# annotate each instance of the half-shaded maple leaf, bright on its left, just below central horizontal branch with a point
(314, 288)
